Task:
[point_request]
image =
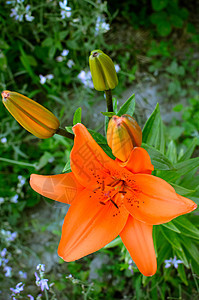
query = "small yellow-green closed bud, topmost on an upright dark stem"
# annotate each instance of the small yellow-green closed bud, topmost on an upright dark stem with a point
(103, 71)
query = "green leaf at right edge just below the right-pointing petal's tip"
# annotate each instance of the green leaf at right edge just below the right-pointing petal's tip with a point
(186, 227)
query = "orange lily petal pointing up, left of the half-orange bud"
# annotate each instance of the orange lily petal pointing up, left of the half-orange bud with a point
(88, 161)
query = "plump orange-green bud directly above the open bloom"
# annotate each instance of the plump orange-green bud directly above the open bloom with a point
(123, 135)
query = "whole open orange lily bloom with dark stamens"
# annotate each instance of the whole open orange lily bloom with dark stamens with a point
(110, 198)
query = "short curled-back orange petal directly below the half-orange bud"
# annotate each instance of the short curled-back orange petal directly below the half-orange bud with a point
(138, 162)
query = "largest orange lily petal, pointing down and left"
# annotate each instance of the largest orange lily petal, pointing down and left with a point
(89, 225)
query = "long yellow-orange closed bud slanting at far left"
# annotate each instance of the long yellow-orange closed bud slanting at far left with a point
(32, 116)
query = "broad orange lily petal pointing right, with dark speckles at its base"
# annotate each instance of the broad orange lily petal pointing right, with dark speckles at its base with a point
(154, 201)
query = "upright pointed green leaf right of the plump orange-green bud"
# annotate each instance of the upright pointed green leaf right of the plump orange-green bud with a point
(153, 132)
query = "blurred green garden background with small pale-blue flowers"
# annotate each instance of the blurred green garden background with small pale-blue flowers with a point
(44, 50)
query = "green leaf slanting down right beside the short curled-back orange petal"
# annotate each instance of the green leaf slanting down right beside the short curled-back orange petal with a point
(159, 161)
